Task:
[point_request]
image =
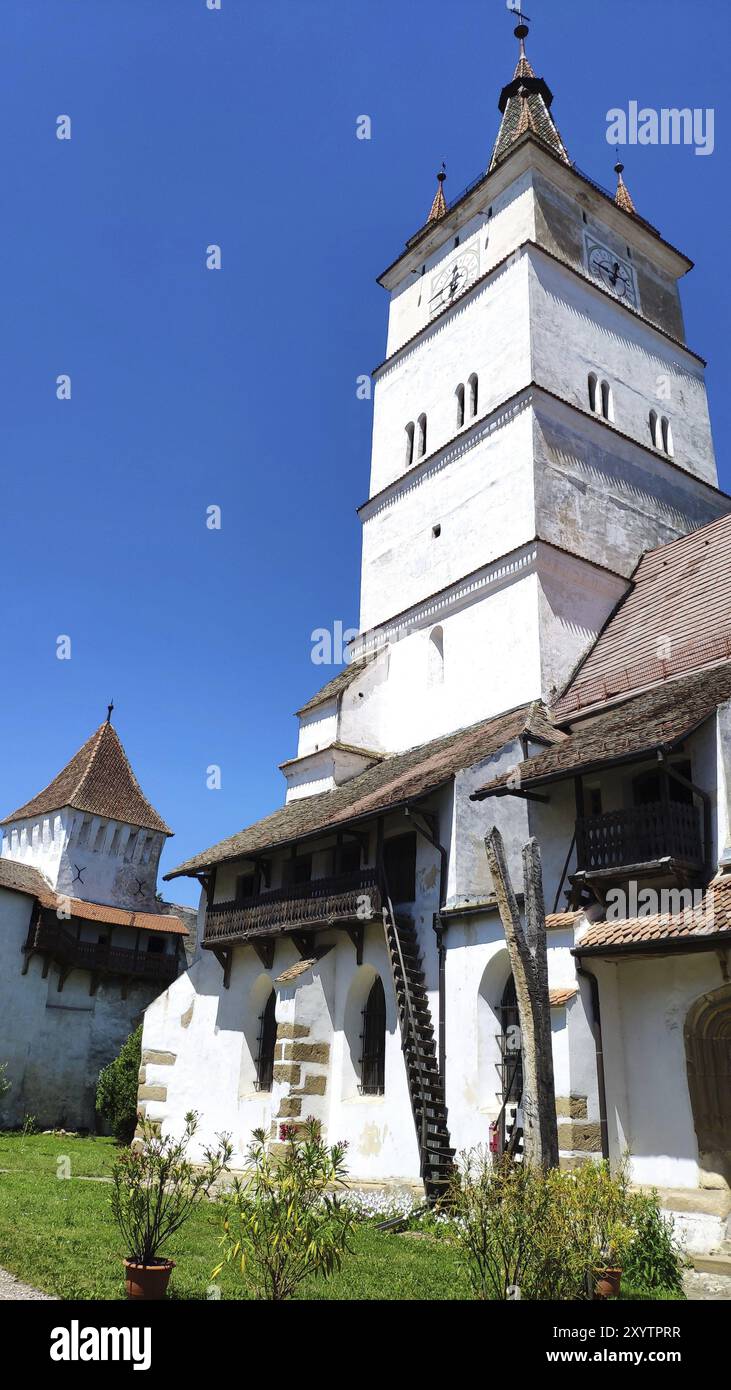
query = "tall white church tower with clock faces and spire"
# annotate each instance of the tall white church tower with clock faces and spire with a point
(540, 422)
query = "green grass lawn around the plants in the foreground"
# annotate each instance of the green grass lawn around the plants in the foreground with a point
(59, 1235)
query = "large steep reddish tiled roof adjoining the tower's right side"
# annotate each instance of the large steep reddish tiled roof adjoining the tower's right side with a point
(676, 618)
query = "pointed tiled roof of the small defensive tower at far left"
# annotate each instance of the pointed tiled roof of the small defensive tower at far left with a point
(98, 780)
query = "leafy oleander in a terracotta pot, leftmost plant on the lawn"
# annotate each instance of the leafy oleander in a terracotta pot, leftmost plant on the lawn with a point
(156, 1189)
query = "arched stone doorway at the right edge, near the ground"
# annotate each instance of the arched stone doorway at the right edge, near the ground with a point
(708, 1056)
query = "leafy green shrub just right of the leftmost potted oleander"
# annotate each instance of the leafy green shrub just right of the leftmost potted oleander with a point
(281, 1223)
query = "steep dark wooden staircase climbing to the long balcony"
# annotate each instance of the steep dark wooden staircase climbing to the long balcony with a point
(426, 1084)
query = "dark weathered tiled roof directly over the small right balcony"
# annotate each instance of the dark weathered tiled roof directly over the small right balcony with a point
(659, 718)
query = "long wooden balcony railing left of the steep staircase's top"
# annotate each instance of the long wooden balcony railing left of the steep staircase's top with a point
(355, 897)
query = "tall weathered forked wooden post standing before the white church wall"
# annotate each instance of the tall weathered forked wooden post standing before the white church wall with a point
(529, 960)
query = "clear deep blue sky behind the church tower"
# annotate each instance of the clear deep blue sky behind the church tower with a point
(238, 389)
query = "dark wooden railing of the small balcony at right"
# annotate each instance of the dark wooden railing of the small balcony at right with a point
(641, 836)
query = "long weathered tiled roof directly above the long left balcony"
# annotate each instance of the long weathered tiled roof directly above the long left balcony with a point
(398, 779)
